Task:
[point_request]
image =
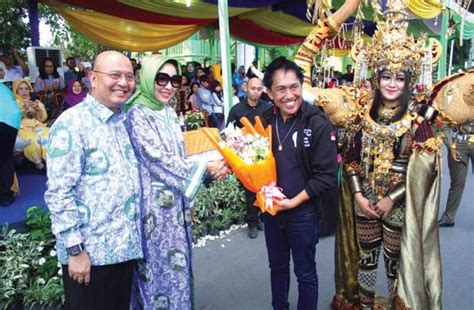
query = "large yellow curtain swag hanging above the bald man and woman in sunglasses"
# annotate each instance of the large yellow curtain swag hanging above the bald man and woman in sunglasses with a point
(125, 34)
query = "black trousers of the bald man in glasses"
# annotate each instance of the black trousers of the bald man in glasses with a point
(110, 288)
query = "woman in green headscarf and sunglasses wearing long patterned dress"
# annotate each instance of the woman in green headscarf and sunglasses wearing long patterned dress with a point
(169, 182)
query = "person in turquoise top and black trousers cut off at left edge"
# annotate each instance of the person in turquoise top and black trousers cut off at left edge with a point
(10, 117)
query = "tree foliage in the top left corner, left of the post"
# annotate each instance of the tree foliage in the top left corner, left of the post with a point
(14, 30)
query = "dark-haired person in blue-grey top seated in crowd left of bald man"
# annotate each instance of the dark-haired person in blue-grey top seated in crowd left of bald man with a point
(49, 79)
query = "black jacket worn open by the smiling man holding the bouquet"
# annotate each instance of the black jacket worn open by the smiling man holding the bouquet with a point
(317, 151)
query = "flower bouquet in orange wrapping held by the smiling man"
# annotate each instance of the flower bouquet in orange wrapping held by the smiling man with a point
(248, 152)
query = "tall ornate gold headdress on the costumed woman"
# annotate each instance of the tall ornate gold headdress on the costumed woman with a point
(394, 50)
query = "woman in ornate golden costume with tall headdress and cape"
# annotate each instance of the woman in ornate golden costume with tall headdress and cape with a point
(391, 169)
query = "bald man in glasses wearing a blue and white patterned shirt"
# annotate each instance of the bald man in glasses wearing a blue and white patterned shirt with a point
(94, 191)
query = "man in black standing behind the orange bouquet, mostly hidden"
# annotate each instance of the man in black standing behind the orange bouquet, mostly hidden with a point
(250, 107)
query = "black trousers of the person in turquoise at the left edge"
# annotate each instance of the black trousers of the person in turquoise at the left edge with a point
(7, 161)
